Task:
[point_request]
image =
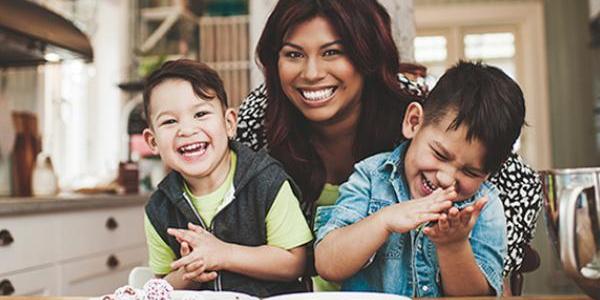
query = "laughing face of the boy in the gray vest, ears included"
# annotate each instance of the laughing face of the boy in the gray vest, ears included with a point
(190, 133)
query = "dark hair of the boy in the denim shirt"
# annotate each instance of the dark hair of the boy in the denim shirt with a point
(489, 103)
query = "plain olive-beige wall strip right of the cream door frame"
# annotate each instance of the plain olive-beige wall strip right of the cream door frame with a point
(570, 84)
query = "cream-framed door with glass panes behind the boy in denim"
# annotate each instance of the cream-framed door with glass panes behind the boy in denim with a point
(506, 34)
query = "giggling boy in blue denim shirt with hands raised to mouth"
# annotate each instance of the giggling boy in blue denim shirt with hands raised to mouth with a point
(421, 220)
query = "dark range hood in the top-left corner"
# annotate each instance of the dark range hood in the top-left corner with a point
(28, 32)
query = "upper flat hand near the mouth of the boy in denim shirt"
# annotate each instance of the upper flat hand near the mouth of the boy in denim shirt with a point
(405, 216)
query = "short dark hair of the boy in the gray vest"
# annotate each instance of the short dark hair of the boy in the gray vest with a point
(199, 75)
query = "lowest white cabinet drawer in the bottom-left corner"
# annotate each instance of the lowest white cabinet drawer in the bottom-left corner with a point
(38, 282)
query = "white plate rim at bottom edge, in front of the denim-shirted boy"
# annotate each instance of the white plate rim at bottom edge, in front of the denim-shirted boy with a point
(339, 296)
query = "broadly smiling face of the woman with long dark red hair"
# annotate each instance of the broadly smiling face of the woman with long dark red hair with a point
(316, 74)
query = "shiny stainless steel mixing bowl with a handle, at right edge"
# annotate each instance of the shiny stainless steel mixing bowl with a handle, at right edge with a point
(572, 211)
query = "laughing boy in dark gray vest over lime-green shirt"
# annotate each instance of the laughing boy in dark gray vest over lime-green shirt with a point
(225, 217)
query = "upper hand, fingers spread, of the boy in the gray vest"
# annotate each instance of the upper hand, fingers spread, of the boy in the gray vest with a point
(207, 255)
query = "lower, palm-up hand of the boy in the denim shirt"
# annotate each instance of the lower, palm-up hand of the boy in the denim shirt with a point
(455, 226)
